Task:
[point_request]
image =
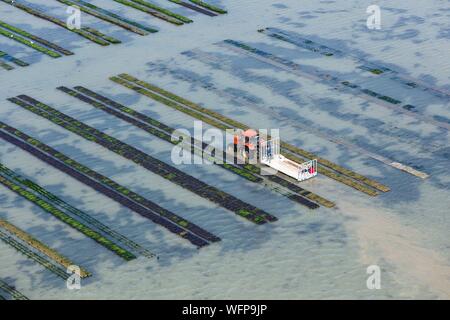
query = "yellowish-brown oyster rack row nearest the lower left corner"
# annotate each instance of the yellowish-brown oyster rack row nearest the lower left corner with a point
(38, 245)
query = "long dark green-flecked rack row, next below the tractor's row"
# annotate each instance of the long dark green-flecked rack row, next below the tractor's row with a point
(152, 164)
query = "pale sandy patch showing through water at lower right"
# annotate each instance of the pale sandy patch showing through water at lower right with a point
(383, 237)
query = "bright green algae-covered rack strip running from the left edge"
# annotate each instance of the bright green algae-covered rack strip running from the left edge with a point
(67, 219)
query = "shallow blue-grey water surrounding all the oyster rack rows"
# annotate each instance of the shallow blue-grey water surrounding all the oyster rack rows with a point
(320, 254)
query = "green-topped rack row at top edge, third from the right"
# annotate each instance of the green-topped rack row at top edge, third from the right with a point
(111, 17)
